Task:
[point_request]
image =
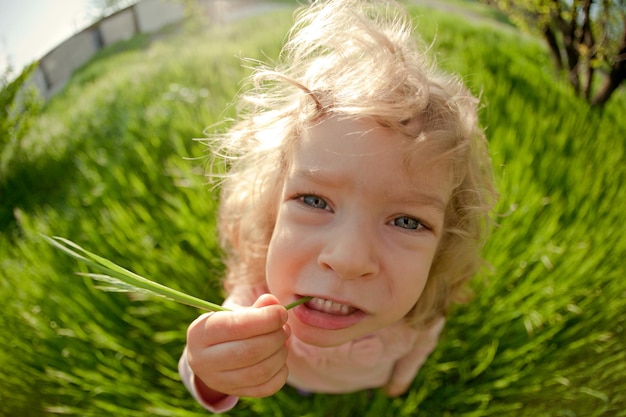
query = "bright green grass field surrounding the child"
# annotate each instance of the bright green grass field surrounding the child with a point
(111, 165)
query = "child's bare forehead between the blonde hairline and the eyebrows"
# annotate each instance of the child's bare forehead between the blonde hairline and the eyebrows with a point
(362, 152)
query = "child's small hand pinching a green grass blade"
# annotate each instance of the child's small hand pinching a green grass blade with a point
(240, 353)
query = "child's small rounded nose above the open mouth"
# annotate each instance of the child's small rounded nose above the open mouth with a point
(350, 250)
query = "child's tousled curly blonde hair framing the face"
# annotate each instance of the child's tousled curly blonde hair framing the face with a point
(357, 59)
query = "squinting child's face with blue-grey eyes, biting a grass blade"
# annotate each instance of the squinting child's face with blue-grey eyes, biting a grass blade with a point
(358, 226)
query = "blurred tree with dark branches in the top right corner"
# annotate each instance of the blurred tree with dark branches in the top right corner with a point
(587, 40)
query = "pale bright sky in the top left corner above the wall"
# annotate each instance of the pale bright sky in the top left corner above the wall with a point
(29, 29)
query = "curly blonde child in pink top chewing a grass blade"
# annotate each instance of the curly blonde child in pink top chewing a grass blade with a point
(358, 177)
